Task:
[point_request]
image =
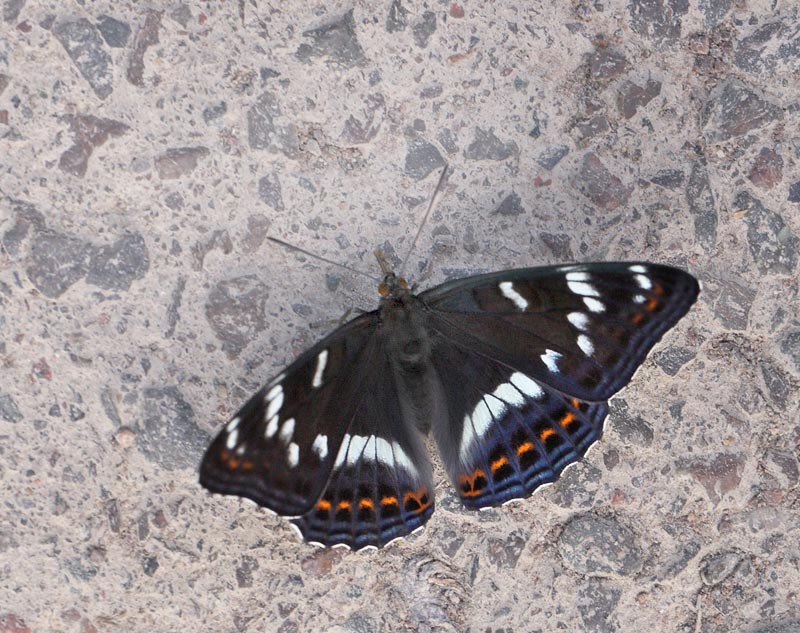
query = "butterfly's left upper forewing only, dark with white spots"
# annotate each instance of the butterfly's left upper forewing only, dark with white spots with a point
(280, 448)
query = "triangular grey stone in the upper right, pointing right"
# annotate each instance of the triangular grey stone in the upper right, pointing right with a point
(734, 110)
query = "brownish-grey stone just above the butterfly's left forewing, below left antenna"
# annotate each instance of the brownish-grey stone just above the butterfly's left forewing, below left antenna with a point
(235, 309)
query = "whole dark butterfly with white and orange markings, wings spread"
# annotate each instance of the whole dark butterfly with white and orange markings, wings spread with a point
(511, 372)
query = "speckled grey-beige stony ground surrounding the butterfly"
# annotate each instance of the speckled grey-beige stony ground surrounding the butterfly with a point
(147, 150)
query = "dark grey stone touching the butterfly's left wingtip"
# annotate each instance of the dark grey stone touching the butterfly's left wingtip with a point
(167, 433)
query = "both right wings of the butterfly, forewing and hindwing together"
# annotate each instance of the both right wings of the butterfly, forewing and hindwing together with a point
(528, 359)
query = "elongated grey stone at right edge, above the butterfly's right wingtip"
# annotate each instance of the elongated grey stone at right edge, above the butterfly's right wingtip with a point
(772, 244)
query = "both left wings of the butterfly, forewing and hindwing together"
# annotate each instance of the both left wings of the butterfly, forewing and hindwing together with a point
(326, 442)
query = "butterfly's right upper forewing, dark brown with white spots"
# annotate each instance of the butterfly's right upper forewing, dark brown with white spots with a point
(582, 330)
